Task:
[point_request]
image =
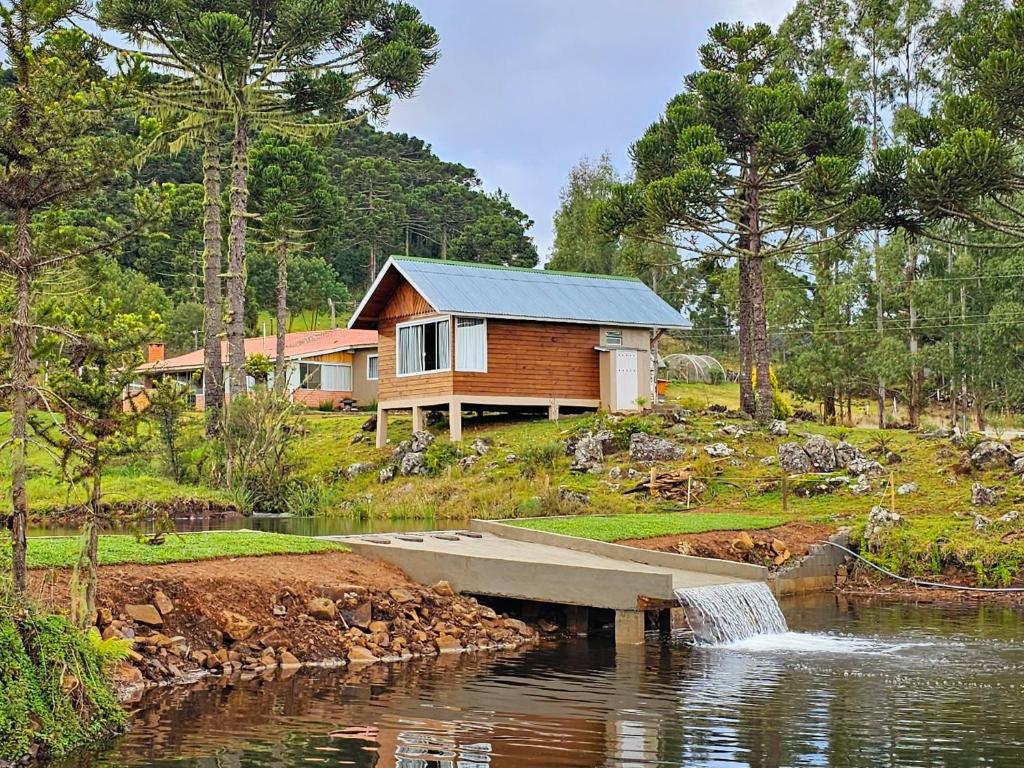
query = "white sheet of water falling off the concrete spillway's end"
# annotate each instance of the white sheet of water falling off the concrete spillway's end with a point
(728, 613)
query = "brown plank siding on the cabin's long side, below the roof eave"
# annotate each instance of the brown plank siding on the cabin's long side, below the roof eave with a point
(537, 360)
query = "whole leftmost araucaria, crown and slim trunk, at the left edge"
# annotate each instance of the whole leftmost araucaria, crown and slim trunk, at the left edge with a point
(57, 143)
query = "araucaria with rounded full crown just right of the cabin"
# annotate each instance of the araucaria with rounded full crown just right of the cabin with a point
(748, 164)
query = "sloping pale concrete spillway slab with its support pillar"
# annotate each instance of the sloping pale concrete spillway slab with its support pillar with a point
(500, 561)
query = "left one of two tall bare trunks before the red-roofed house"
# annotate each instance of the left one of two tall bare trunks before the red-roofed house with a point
(214, 366)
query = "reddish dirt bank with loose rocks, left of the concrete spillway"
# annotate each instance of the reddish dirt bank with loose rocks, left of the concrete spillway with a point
(257, 614)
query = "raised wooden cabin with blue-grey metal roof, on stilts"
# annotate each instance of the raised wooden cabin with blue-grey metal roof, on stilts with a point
(461, 337)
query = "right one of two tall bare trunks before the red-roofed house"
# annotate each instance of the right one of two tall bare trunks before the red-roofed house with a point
(237, 258)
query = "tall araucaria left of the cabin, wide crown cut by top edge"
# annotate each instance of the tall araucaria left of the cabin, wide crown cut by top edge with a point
(274, 66)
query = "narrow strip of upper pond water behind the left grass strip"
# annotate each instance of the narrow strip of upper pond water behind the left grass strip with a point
(321, 526)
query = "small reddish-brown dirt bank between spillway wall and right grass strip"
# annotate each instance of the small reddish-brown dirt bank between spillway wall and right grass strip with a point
(760, 547)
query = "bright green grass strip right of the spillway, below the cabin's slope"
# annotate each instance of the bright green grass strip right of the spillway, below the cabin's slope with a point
(648, 526)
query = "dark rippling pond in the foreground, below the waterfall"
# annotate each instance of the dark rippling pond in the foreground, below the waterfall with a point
(874, 686)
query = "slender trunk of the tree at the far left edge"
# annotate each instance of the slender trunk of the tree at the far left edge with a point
(21, 383)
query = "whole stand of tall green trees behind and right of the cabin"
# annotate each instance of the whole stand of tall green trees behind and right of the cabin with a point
(839, 199)
